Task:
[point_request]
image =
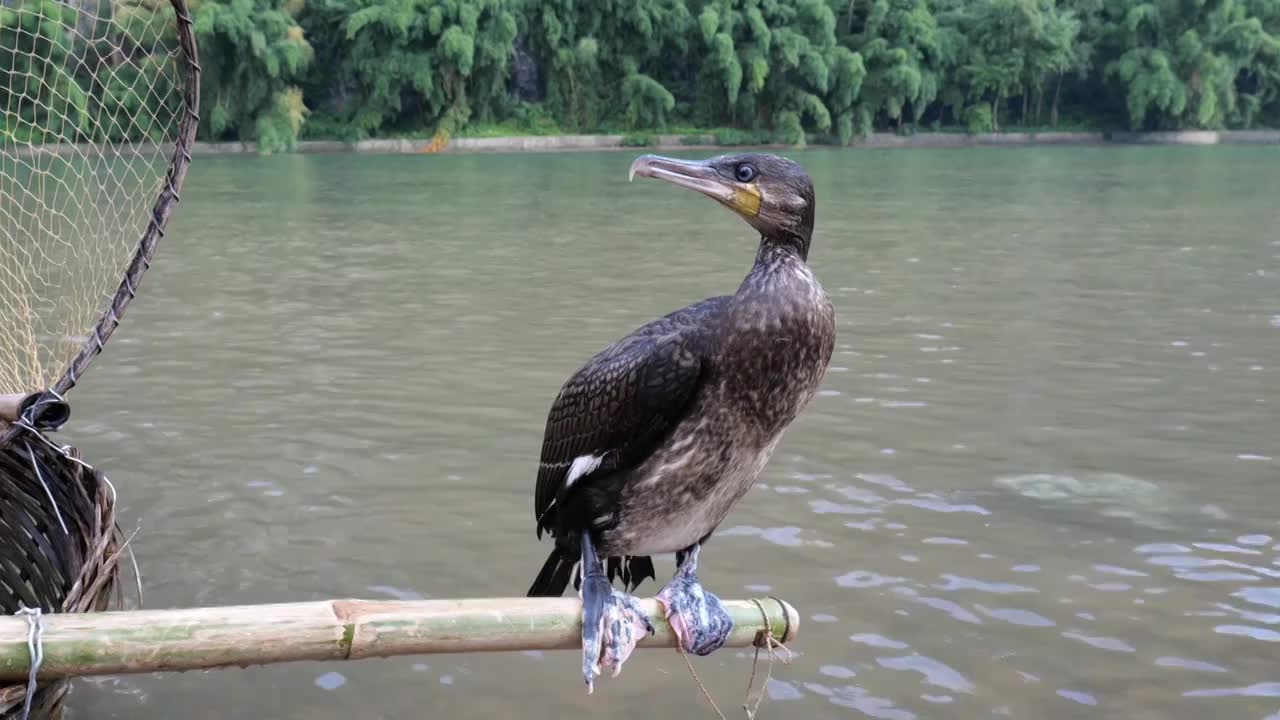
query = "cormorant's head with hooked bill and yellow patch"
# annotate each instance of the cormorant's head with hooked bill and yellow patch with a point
(772, 194)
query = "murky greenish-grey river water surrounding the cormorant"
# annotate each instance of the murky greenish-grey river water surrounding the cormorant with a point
(1040, 481)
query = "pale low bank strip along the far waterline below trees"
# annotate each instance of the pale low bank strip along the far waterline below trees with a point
(572, 143)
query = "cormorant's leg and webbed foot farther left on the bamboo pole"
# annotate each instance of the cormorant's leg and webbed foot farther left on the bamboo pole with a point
(612, 621)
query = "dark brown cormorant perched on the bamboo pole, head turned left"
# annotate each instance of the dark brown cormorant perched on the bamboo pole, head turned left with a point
(652, 443)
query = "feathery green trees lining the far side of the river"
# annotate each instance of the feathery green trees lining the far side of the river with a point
(757, 71)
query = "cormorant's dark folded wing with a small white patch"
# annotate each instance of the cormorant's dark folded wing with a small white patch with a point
(616, 409)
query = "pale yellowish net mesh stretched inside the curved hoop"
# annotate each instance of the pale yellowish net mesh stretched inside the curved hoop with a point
(94, 102)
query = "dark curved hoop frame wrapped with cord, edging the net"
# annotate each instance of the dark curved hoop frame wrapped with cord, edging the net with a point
(161, 212)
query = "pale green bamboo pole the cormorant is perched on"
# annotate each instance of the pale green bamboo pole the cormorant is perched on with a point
(150, 641)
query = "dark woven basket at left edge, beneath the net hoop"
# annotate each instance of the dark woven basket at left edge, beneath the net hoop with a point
(43, 566)
